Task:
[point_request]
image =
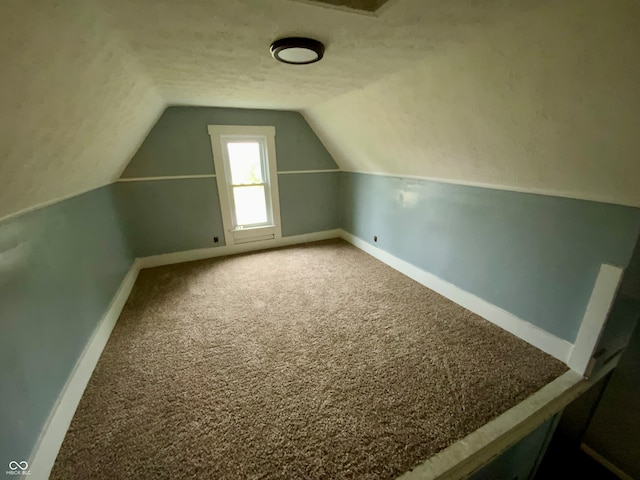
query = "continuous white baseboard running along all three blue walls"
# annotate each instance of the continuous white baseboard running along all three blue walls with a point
(52, 436)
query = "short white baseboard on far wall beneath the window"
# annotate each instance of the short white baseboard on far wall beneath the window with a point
(203, 253)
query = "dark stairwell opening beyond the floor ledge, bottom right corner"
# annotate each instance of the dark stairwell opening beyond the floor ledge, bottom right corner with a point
(604, 418)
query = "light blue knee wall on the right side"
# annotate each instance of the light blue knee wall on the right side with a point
(535, 256)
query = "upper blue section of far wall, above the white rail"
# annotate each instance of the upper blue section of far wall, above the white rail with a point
(179, 142)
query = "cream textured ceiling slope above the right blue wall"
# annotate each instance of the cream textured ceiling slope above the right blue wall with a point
(546, 102)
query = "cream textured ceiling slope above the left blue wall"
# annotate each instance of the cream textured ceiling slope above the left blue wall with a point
(75, 103)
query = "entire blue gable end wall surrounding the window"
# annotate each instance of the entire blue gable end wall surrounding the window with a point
(164, 216)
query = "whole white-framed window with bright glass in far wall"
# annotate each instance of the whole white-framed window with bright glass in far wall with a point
(245, 161)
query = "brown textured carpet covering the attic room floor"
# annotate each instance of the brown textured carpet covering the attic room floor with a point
(307, 362)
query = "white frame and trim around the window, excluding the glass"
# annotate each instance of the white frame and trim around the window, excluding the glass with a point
(265, 136)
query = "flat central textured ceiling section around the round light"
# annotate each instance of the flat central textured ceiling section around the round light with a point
(216, 53)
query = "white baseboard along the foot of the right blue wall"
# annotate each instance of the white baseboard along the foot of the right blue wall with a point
(545, 341)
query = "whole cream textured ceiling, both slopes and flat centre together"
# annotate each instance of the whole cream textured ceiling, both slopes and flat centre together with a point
(535, 96)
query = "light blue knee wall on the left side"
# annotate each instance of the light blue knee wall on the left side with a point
(60, 267)
